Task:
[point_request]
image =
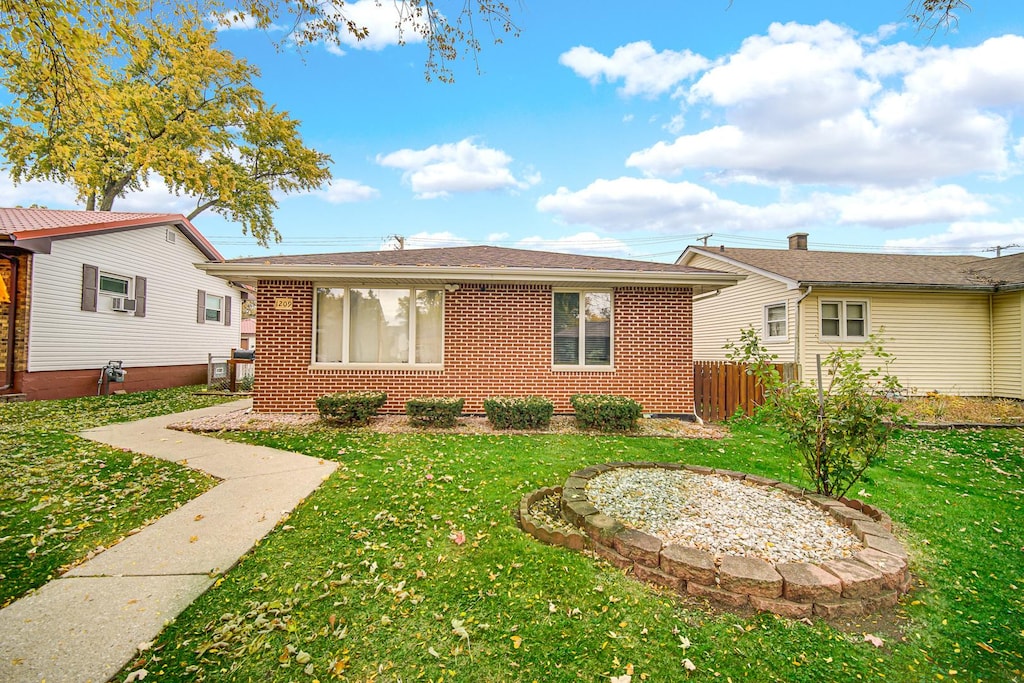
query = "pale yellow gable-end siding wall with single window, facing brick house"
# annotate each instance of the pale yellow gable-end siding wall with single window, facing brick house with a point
(719, 319)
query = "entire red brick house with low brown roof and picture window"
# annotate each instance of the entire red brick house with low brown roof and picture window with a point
(473, 323)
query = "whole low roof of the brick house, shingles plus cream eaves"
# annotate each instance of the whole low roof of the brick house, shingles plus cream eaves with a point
(482, 264)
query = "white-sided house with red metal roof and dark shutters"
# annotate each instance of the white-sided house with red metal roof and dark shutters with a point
(103, 287)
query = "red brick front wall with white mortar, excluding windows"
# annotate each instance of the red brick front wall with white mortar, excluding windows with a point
(497, 343)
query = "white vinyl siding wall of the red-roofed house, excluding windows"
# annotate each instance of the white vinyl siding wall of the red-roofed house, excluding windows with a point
(63, 336)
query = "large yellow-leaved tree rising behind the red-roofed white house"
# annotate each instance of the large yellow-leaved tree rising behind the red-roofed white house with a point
(176, 106)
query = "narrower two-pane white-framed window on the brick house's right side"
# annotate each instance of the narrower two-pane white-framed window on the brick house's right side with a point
(582, 329)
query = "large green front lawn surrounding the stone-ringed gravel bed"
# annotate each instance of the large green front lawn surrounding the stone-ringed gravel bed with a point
(365, 582)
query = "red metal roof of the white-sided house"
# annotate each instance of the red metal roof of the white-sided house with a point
(32, 230)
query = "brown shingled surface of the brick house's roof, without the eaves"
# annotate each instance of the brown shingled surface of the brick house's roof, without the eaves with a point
(468, 258)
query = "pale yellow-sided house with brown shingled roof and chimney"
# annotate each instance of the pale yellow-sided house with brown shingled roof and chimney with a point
(956, 324)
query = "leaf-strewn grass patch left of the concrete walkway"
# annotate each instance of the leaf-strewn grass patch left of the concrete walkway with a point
(63, 496)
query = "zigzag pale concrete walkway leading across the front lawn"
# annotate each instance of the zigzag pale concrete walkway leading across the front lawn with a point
(87, 625)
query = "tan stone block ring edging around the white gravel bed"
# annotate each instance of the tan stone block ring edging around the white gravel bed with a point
(871, 579)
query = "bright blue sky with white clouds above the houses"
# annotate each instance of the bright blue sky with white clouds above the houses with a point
(635, 133)
